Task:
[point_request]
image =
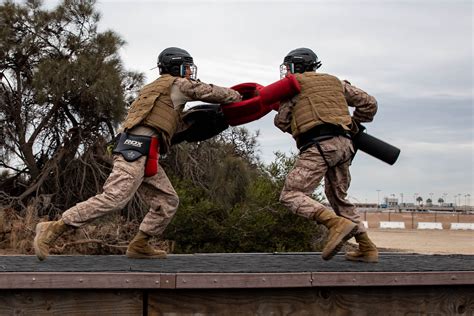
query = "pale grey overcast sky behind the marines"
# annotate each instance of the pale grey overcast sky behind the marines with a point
(415, 57)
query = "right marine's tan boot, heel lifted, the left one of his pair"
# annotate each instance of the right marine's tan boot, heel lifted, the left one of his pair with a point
(340, 230)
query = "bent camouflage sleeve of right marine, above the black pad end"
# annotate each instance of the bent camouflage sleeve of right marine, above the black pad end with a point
(365, 105)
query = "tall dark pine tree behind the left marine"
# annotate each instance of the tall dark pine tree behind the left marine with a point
(63, 87)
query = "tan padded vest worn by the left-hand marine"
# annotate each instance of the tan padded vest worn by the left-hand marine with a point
(154, 108)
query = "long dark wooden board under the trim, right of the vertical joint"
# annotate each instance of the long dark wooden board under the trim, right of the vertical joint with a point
(433, 300)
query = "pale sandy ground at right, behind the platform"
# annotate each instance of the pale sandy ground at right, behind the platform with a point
(424, 241)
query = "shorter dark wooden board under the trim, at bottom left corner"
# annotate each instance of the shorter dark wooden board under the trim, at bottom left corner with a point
(71, 302)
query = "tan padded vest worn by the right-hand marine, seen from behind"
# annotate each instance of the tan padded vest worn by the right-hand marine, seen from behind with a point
(320, 101)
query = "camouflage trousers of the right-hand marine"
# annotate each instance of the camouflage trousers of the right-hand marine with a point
(309, 170)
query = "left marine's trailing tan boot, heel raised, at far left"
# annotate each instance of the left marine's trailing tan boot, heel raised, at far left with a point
(46, 235)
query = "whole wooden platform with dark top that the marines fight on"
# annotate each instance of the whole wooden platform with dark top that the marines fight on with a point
(240, 284)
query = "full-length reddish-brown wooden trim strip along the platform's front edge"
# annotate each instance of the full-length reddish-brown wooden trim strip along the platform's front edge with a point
(131, 280)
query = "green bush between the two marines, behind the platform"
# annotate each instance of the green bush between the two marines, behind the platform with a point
(234, 206)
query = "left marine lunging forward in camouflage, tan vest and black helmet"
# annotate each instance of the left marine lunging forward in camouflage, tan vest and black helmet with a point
(156, 112)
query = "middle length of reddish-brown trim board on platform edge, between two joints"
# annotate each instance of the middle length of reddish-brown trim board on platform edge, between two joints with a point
(242, 280)
